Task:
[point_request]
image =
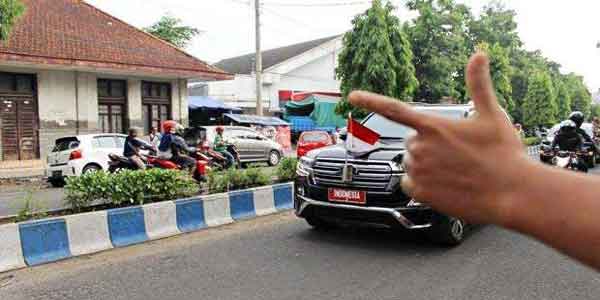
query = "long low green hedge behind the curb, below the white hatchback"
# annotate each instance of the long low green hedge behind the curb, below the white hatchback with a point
(128, 187)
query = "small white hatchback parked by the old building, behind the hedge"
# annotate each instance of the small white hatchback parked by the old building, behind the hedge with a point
(75, 155)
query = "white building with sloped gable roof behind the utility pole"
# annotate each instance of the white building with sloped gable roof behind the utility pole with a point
(304, 67)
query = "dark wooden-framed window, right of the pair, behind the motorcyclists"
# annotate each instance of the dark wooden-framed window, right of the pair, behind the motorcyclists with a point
(156, 104)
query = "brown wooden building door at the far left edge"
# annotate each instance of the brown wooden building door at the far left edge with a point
(18, 114)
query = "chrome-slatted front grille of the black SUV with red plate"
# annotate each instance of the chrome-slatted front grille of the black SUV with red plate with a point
(371, 175)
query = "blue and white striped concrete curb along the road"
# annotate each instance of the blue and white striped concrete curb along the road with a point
(37, 242)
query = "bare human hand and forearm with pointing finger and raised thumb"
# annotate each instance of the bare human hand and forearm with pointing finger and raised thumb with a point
(557, 207)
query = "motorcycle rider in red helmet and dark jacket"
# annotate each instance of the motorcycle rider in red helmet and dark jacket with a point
(174, 148)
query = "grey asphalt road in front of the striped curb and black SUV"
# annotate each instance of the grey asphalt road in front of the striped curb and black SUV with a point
(280, 257)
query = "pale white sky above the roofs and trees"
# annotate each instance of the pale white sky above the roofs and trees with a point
(562, 30)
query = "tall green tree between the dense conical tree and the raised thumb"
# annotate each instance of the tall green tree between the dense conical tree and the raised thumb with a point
(439, 42)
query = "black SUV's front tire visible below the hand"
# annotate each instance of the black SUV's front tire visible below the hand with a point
(447, 231)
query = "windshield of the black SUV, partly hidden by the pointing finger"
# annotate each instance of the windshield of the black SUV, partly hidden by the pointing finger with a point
(392, 130)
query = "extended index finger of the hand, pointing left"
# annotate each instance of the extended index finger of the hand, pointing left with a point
(394, 110)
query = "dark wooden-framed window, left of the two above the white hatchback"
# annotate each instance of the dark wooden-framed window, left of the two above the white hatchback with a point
(112, 101)
